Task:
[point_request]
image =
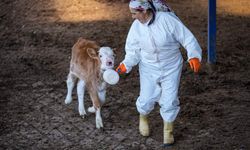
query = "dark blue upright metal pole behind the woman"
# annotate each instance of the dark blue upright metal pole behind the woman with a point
(211, 31)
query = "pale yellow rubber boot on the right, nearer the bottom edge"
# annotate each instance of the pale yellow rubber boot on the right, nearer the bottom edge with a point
(168, 137)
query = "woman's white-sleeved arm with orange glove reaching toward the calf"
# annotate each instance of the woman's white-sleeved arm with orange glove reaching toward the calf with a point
(132, 50)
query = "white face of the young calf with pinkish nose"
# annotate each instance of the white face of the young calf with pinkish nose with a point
(106, 56)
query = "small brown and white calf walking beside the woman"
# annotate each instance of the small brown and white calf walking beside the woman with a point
(88, 62)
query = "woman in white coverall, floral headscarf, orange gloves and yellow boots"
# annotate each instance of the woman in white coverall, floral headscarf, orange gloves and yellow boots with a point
(153, 42)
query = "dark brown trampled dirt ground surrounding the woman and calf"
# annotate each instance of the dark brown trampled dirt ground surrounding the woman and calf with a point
(36, 39)
